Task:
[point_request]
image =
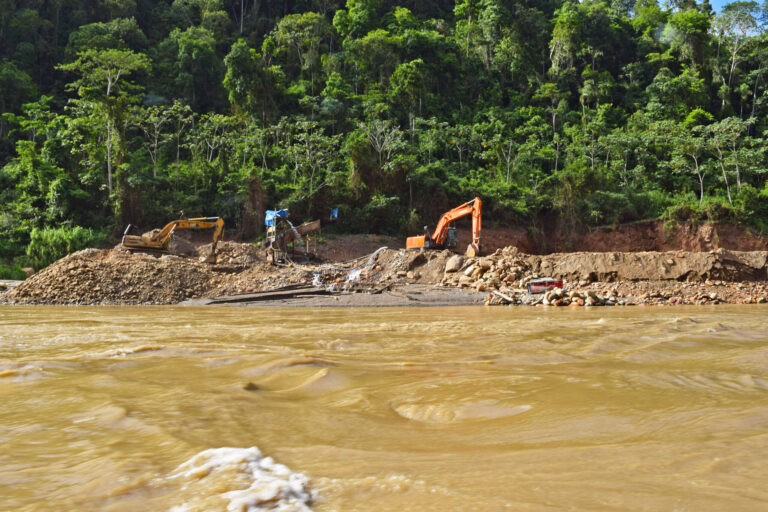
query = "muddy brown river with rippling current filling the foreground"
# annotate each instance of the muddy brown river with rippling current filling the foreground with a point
(446, 409)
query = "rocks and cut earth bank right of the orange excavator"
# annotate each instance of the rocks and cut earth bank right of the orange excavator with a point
(614, 279)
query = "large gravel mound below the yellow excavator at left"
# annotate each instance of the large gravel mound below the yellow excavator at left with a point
(115, 277)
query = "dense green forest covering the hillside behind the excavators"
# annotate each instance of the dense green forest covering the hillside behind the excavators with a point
(582, 114)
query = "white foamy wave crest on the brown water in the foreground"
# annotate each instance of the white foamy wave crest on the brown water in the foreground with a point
(260, 483)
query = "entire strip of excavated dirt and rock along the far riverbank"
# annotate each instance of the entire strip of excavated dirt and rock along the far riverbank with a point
(595, 278)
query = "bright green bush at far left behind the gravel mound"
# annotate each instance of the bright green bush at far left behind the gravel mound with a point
(50, 244)
